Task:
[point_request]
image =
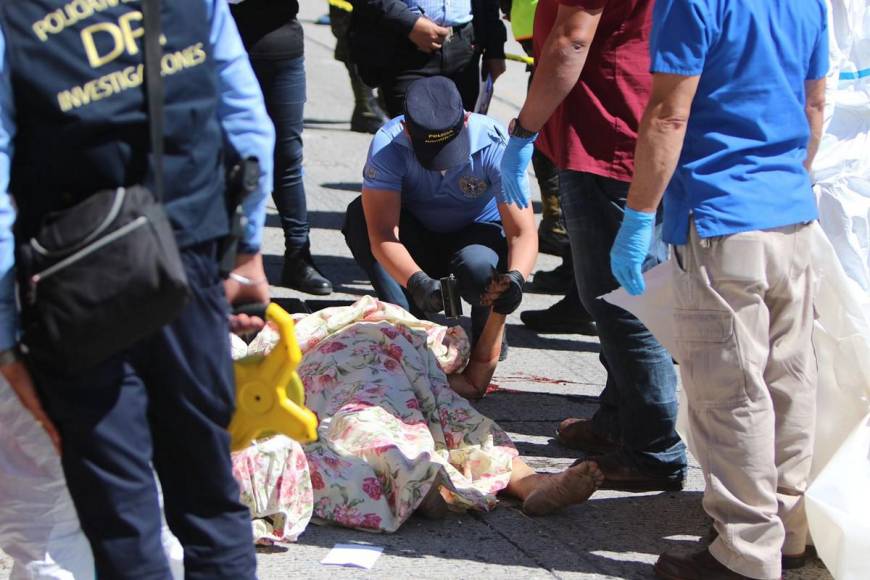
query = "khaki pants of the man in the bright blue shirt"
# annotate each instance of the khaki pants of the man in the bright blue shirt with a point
(743, 323)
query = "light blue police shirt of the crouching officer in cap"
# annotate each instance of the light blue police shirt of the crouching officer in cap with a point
(445, 202)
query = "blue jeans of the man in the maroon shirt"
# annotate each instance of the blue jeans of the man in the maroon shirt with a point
(638, 406)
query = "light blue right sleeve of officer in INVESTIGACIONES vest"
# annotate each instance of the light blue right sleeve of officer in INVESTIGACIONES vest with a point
(242, 114)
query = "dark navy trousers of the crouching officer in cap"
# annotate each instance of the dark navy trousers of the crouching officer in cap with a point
(470, 254)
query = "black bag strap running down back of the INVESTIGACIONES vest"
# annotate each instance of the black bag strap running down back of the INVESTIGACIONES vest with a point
(154, 89)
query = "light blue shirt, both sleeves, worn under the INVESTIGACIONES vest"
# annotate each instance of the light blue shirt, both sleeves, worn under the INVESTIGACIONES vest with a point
(243, 117)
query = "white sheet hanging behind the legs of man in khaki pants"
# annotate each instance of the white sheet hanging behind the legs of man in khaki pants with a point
(837, 508)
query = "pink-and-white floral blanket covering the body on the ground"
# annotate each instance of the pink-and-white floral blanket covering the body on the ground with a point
(390, 426)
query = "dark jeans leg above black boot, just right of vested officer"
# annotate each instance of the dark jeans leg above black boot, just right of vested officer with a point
(283, 84)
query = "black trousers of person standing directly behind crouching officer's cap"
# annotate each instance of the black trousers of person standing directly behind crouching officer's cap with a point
(457, 60)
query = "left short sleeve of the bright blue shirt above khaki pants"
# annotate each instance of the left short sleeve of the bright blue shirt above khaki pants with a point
(683, 53)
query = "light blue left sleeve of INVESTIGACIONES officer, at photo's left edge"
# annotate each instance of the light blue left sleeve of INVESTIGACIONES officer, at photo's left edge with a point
(8, 305)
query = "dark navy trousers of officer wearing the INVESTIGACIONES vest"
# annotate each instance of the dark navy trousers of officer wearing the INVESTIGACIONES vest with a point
(167, 401)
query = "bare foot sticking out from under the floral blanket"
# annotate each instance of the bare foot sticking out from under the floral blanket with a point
(556, 491)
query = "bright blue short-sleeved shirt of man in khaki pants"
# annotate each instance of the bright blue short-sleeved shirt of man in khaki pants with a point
(741, 167)
